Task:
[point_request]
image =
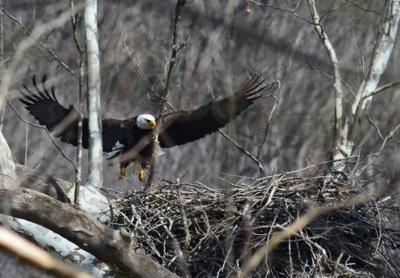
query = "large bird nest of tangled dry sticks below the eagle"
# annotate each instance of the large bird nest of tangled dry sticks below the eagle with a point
(198, 231)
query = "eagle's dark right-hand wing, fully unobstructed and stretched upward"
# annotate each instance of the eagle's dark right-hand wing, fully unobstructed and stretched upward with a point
(186, 126)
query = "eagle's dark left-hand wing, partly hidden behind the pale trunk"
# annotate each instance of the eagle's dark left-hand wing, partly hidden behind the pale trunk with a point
(63, 122)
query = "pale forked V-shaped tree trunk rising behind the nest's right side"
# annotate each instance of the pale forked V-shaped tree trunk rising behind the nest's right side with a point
(347, 128)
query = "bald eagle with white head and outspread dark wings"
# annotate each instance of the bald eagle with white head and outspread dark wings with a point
(131, 138)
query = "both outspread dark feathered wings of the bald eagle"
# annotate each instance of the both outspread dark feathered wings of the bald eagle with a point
(177, 128)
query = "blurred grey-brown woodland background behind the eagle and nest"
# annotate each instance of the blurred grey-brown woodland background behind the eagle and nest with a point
(225, 41)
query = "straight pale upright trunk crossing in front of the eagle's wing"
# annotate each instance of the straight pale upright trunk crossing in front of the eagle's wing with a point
(94, 103)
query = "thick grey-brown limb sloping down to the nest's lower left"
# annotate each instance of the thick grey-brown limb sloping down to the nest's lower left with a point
(110, 246)
